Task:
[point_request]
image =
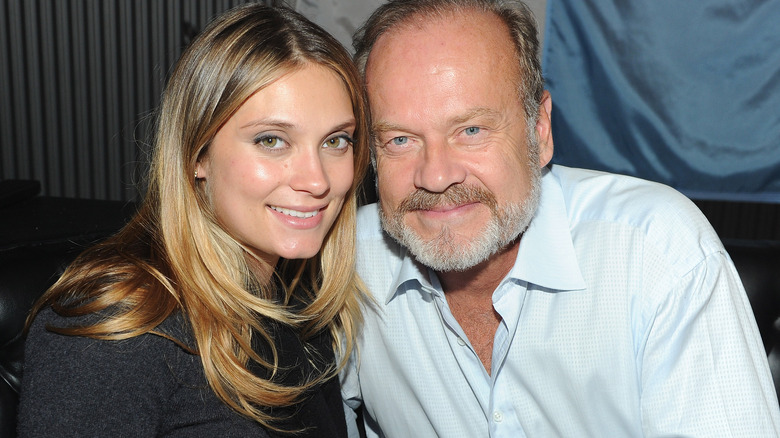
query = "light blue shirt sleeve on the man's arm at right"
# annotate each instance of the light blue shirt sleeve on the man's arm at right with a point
(704, 370)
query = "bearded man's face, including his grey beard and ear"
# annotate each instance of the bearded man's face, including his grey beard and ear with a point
(455, 168)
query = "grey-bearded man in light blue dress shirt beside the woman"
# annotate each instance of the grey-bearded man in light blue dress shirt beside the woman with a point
(513, 298)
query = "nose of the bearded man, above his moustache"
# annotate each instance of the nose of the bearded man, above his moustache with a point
(438, 167)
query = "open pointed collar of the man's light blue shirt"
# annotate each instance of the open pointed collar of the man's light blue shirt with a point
(545, 257)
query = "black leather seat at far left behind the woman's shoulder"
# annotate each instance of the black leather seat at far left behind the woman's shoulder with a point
(41, 236)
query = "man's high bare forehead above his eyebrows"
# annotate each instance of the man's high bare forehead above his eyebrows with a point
(452, 57)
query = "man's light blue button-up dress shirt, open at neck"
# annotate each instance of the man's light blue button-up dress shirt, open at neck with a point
(623, 316)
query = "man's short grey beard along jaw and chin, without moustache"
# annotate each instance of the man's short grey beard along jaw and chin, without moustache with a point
(446, 252)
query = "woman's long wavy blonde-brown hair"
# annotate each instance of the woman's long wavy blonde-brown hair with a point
(174, 256)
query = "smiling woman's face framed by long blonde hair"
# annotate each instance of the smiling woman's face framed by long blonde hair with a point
(278, 170)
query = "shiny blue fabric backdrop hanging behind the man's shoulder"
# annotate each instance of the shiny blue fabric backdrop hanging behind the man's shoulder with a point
(685, 92)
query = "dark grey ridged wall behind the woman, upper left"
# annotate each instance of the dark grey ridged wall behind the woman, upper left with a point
(79, 83)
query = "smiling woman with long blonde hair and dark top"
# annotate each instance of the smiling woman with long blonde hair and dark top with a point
(214, 311)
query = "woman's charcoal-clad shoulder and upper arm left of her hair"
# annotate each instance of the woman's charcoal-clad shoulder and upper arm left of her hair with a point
(146, 385)
